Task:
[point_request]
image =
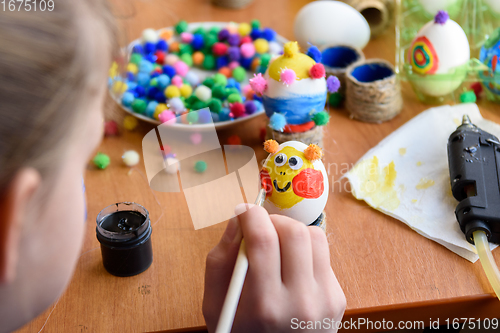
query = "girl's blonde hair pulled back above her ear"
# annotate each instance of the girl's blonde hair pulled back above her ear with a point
(46, 74)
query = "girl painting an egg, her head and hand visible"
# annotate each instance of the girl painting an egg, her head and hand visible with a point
(53, 74)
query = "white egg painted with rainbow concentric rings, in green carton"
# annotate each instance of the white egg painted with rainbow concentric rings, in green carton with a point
(438, 49)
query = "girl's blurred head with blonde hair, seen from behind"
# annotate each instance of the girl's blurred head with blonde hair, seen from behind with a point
(53, 72)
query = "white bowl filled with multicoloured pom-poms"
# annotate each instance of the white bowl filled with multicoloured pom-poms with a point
(170, 72)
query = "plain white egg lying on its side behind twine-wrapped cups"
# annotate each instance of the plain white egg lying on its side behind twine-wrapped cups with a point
(331, 22)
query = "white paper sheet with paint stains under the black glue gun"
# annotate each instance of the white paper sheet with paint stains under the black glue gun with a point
(406, 175)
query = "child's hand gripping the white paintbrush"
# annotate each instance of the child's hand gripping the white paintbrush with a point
(289, 276)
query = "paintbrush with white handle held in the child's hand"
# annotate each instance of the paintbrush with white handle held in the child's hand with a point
(237, 280)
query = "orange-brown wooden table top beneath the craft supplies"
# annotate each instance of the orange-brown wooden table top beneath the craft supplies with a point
(405, 278)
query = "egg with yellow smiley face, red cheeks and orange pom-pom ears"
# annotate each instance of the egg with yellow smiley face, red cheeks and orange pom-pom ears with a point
(295, 180)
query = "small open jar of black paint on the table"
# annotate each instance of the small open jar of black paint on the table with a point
(124, 231)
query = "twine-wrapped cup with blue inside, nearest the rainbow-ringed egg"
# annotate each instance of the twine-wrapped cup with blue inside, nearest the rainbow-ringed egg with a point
(375, 101)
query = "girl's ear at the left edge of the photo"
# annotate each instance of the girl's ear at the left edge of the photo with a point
(14, 203)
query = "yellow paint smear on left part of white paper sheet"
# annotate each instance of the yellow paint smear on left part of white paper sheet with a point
(377, 184)
